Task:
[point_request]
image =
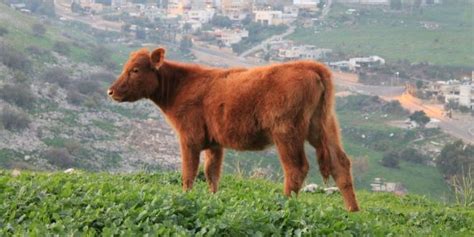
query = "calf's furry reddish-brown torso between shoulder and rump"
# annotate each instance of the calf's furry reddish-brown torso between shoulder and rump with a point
(243, 108)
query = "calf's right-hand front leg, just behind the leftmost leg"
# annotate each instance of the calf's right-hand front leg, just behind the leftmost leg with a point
(213, 167)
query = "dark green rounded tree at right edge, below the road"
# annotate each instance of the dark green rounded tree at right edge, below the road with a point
(455, 157)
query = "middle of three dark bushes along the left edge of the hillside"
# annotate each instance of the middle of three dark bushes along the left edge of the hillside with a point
(18, 94)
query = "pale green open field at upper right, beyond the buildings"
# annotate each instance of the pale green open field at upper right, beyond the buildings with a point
(399, 36)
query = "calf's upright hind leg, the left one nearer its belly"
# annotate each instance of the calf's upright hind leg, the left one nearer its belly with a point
(293, 160)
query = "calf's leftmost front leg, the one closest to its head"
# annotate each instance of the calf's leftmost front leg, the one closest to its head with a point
(189, 165)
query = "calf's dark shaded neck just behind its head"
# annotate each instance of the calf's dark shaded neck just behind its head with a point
(171, 76)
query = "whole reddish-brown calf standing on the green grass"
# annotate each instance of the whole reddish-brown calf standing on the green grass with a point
(243, 109)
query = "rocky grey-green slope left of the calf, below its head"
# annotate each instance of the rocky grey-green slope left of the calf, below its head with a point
(114, 137)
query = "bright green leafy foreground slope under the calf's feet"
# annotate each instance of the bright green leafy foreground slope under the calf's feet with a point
(98, 203)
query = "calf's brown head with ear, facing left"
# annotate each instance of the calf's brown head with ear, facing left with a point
(138, 79)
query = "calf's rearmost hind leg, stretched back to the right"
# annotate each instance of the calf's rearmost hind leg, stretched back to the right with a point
(333, 160)
